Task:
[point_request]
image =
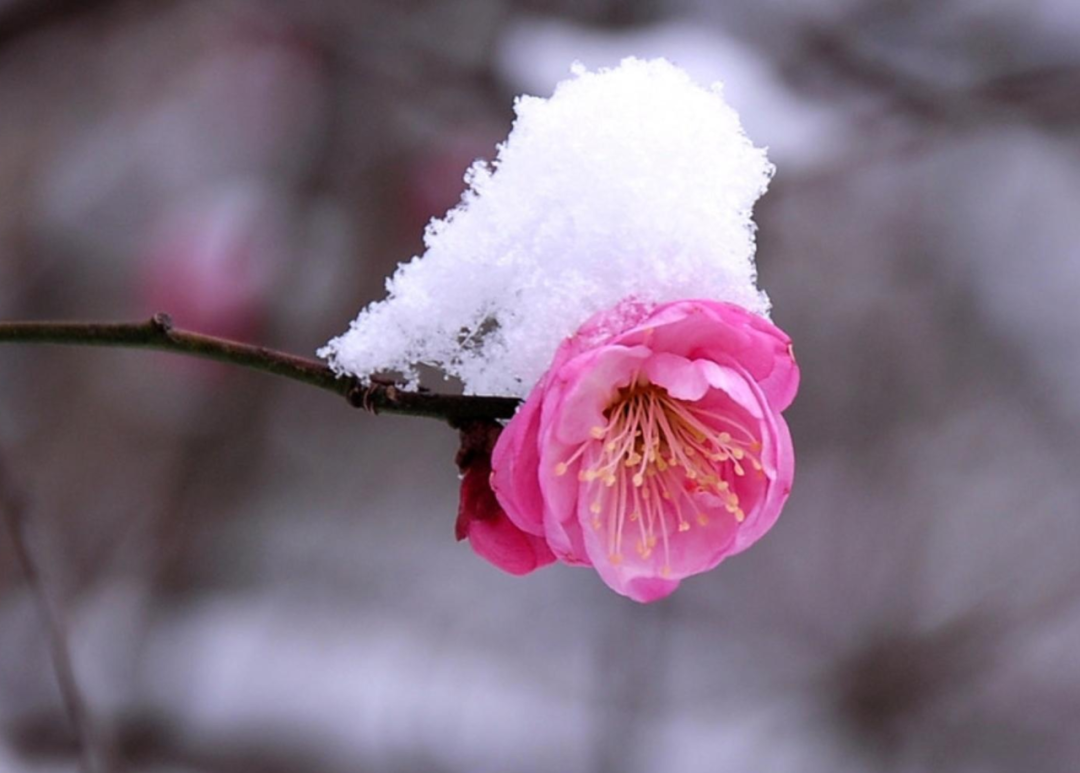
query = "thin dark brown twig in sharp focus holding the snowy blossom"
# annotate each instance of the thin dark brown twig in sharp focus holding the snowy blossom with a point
(158, 333)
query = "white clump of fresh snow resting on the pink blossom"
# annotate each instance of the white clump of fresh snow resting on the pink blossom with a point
(628, 183)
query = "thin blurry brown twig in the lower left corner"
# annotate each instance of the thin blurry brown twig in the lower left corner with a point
(16, 514)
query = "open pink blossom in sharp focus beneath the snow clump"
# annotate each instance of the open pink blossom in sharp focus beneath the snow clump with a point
(654, 447)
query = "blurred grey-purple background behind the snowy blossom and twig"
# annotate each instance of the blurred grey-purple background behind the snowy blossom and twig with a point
(255, 577)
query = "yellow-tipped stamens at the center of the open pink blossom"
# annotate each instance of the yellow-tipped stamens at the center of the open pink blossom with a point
(654, 467)
